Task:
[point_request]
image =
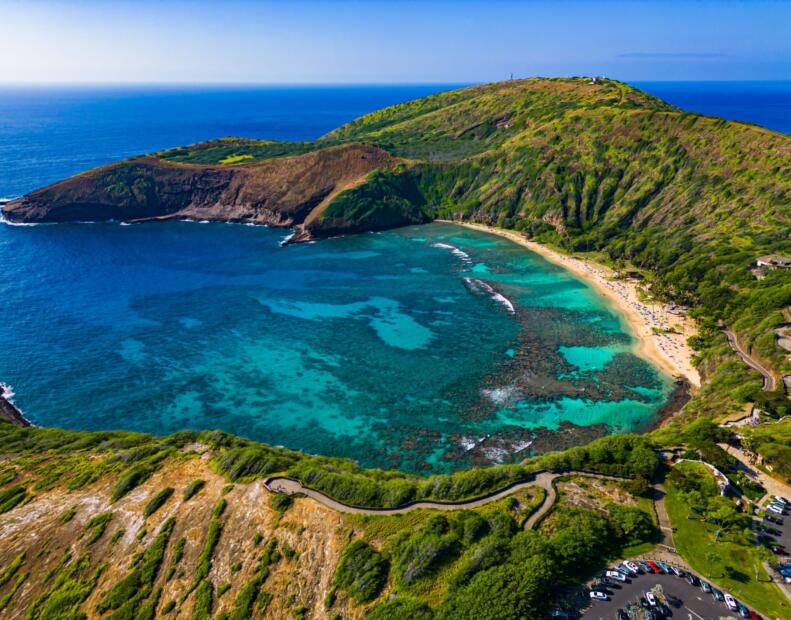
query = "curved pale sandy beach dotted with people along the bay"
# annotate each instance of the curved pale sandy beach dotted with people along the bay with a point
(668, 351)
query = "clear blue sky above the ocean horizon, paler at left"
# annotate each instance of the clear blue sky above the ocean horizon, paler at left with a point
(332, 41)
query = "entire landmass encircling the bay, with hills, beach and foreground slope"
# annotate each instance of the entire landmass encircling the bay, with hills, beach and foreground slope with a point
(662, 210)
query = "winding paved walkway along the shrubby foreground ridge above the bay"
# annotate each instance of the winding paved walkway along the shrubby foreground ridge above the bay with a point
(545, 480)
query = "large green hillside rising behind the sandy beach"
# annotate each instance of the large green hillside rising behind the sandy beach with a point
(603, 168)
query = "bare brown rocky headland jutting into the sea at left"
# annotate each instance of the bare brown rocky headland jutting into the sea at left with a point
(278, 192)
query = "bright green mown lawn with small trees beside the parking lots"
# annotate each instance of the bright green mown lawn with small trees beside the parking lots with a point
(735, 568)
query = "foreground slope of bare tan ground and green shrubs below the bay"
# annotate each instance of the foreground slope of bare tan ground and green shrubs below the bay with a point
(91, 492)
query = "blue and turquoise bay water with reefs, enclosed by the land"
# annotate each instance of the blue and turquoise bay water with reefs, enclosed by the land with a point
(426, 348)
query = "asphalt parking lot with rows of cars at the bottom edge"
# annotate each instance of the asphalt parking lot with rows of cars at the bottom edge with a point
(695, 604)
